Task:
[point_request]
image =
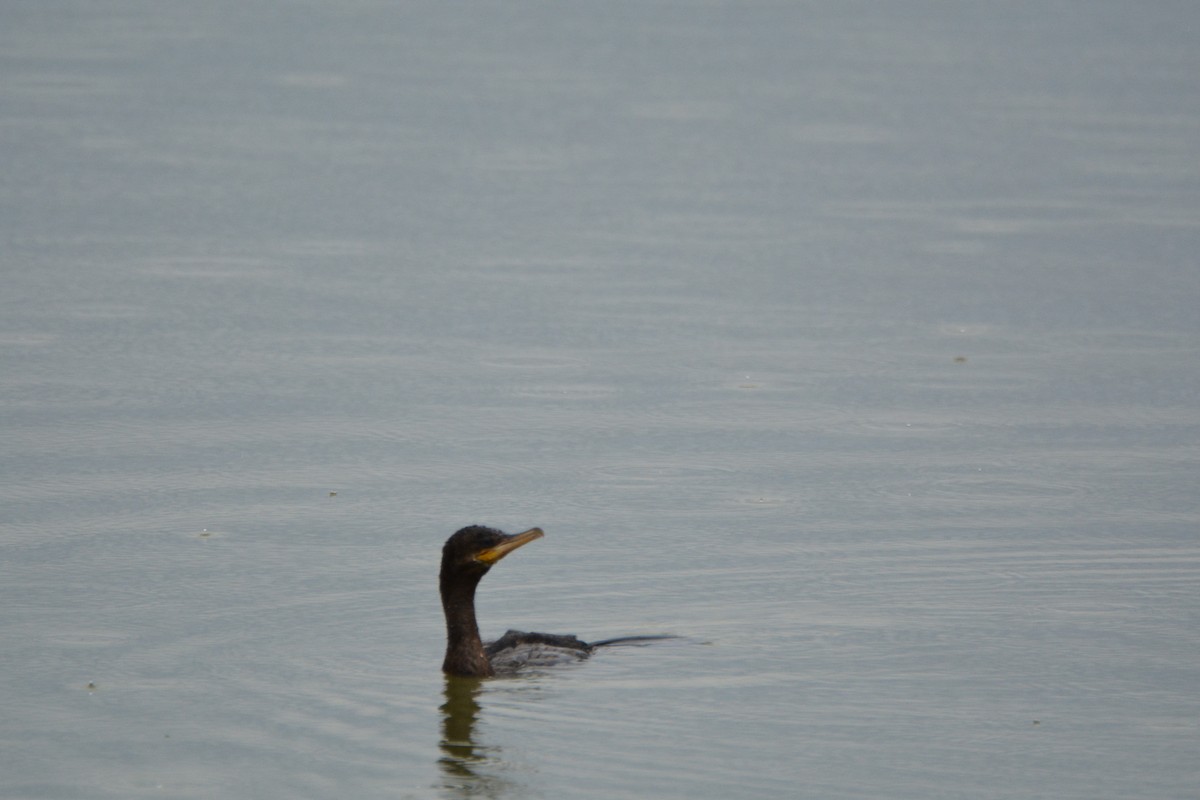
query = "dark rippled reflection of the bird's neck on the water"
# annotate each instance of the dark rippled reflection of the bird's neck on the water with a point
(464, 763)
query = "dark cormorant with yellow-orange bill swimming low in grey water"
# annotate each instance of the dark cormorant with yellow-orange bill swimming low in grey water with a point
(466, 560)
